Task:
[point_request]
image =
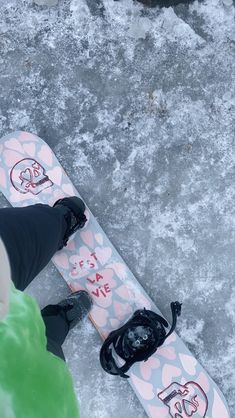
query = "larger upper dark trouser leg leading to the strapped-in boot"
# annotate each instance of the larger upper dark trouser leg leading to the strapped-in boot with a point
(31, 235)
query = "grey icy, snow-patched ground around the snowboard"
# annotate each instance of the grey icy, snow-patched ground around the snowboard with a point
(139, 106)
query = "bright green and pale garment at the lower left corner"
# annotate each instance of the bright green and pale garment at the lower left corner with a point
(33, 382)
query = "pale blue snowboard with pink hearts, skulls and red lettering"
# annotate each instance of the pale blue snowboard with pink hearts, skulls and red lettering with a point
(171, 383)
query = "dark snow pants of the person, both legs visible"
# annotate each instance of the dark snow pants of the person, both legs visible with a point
(32, 235)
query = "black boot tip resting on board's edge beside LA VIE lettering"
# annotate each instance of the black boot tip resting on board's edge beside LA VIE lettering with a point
(76, 307)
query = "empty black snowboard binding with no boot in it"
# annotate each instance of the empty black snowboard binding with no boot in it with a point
(137, 340)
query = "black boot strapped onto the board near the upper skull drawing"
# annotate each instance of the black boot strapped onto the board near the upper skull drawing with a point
(73, 209)
